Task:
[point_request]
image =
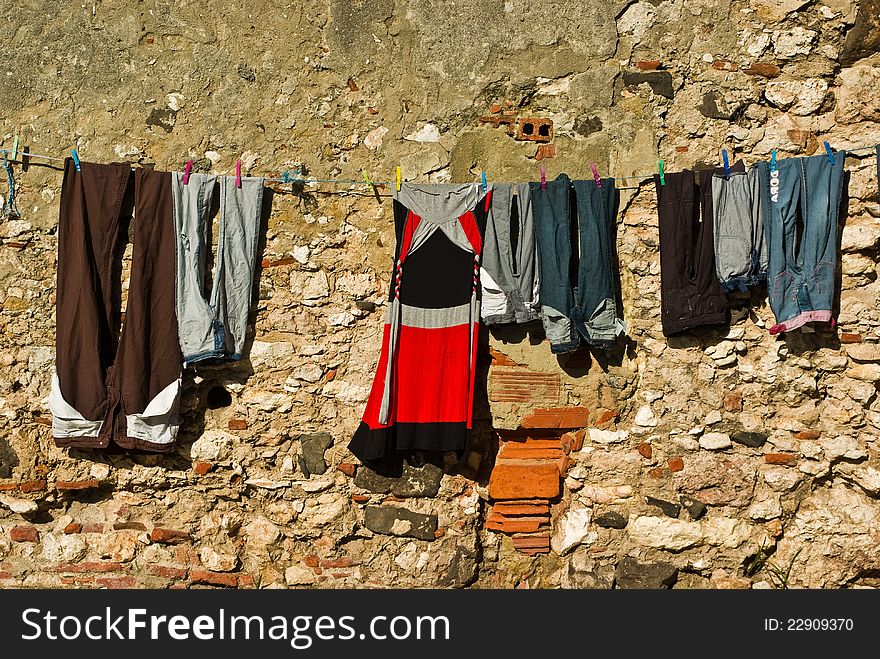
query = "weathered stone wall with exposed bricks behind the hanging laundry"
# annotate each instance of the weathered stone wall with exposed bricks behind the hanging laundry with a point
(722, 458)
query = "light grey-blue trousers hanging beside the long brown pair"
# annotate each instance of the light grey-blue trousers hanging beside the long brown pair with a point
(214, 328)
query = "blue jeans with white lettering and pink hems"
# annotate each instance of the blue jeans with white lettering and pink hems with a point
(801, 201)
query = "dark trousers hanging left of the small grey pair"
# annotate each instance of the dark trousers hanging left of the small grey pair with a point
(690, 293)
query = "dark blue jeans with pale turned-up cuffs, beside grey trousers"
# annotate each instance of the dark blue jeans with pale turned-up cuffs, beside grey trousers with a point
(588, 309)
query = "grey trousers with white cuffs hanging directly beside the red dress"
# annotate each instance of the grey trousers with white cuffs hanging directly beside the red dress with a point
(509, 276)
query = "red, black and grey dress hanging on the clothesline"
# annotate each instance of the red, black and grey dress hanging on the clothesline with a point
(423, 391)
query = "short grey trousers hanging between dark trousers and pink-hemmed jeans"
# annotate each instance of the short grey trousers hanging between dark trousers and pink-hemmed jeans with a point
(740, 248)
